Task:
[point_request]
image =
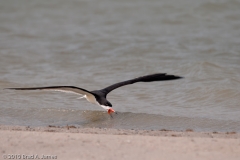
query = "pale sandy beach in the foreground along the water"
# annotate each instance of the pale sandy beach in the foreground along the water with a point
(70, 142)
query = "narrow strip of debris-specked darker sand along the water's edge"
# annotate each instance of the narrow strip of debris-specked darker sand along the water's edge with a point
(111, 131)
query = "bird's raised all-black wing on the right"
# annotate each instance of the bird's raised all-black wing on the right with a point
(148, 78)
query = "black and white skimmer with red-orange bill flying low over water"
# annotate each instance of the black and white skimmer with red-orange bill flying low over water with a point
(99, 97)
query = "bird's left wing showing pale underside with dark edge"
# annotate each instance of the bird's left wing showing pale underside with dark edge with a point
(67, 89)
